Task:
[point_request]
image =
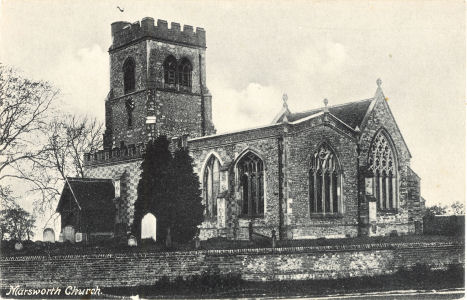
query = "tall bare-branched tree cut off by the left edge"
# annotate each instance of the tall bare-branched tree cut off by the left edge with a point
(24, 111)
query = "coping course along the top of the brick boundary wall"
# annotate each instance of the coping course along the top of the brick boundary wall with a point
(246, 251)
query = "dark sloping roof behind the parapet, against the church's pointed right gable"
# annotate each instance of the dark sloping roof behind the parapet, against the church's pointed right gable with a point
(351, 113)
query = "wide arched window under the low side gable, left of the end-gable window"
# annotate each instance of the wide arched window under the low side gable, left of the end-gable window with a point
(324, 182)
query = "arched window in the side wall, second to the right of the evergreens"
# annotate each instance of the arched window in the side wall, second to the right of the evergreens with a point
(251, 176)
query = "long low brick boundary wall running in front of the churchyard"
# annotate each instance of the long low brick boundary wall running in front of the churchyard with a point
(265, 264)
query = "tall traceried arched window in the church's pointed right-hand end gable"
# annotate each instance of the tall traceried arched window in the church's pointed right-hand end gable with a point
(382, 163)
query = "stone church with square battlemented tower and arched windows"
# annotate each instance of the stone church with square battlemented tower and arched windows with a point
(334, 171)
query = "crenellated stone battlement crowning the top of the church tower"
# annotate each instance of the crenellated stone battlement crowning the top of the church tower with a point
(125, 32)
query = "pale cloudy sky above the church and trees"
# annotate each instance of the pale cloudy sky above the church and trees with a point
(258, 50)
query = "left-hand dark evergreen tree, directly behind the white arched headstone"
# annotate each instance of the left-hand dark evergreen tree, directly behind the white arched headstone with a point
(154, 187)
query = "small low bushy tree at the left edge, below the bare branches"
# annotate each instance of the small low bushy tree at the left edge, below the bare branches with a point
(16, 224)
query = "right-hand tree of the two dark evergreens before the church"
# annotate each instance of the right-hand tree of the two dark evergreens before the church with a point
(186, 206)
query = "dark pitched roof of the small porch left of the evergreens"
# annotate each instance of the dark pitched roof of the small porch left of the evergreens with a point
(89, 192)
